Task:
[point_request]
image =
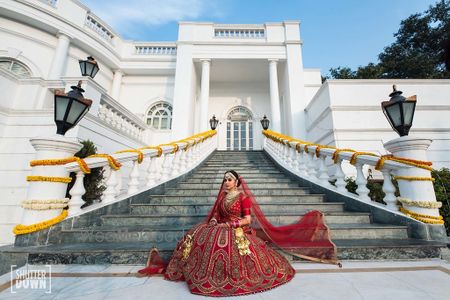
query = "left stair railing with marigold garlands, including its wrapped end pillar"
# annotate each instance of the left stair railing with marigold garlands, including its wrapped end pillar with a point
(150, 166)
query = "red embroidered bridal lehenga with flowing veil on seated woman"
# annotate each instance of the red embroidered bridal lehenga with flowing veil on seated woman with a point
(223, 261)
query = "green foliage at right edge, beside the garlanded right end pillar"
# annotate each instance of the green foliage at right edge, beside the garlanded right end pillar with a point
(442, 190)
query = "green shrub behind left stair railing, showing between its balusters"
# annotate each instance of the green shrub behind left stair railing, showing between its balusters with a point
(93, 181)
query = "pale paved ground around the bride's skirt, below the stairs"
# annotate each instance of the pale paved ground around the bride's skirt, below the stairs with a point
(385, 280)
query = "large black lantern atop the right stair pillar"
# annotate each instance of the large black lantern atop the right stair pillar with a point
(399, 111)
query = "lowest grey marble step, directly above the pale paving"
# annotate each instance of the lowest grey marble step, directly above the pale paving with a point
(137, 253)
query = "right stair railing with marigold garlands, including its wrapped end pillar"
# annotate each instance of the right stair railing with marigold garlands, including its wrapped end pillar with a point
(323, 165)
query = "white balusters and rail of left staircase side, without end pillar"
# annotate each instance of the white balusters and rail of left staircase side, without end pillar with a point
(152, 171)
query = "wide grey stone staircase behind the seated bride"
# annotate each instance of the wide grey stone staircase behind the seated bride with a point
(124, 236)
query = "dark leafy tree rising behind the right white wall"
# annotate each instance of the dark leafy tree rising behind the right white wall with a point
(419, 51)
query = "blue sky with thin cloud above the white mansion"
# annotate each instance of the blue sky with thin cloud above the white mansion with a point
(334, 32)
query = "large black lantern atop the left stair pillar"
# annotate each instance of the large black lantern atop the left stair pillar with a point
(70, 108)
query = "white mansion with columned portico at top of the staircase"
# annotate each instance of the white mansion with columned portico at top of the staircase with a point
(147, 93)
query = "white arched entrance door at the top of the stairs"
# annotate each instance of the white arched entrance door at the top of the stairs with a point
(239, 129)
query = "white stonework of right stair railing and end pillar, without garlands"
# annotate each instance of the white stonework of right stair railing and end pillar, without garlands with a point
(316, 169)
